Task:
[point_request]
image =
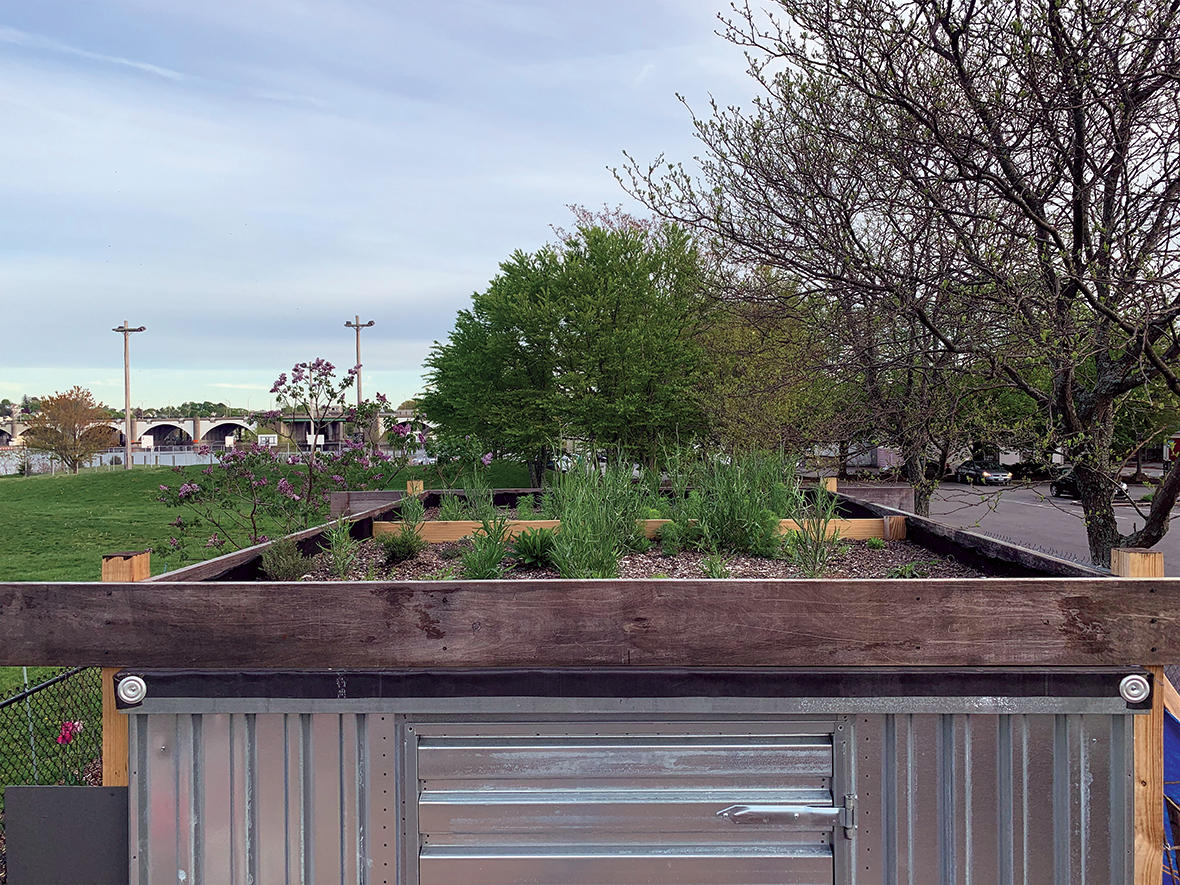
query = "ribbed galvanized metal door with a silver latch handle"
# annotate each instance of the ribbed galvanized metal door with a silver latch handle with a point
(614, 807)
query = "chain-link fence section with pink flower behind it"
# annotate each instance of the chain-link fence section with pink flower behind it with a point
(53, 733)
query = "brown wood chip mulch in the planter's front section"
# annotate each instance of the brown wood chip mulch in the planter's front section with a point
(442, 562)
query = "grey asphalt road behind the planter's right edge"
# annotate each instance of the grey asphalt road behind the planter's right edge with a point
(1028, 516)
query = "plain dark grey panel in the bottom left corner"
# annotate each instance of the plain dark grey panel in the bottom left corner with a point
(67, 835)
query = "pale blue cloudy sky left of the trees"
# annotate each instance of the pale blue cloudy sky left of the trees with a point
(245, 178)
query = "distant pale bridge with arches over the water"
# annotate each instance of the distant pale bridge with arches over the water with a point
(207, 431)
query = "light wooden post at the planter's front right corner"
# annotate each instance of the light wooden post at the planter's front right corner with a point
(1150, 836)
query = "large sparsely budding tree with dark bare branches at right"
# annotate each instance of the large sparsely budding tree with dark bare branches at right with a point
(1028, 149)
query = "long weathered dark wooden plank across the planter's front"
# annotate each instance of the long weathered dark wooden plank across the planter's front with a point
(1045, 622)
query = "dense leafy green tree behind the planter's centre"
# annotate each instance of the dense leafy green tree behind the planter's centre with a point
(596, 338)
